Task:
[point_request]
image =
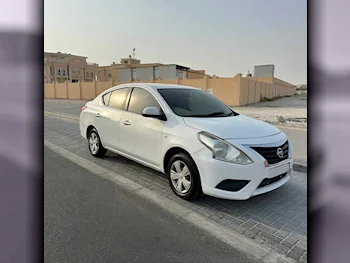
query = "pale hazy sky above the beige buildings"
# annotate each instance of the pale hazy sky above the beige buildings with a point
(223, 37)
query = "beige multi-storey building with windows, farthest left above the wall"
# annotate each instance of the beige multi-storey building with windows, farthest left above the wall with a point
(60, 67)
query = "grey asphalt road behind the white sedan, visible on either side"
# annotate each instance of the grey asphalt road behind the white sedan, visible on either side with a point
(298, 137)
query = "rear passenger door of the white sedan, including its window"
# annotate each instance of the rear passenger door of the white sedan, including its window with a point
(108, 118)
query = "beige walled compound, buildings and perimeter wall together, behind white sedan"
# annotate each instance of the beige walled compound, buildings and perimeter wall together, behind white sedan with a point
(62, 70)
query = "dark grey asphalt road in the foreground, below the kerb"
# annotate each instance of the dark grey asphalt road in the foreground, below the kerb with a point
(88, 219)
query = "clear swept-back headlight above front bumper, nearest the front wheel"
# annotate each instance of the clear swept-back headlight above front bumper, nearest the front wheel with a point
(222, 150)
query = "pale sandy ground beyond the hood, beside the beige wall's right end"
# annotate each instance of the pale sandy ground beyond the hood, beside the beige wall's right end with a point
(292, 109)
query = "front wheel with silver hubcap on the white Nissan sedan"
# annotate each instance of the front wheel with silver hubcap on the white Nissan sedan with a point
(176, 168)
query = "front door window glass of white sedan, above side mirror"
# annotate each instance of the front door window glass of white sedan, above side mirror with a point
(141, 99)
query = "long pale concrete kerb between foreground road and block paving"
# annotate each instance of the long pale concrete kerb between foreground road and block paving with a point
(238, 241)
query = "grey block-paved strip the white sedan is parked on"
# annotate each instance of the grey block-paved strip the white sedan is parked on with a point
(277, 219)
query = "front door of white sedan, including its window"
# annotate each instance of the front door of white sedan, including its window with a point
(140, 136)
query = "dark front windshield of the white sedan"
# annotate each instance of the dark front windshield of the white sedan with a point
(195, 103)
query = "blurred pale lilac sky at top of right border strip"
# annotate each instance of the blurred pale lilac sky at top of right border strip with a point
(332, 35)
